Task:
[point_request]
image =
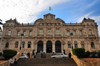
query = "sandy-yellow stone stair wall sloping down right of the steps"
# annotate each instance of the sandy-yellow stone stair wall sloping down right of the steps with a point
(79, 62)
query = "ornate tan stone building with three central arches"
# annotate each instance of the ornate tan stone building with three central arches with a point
(50, 35)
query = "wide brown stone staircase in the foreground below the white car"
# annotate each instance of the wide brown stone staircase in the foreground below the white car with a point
(46, 62)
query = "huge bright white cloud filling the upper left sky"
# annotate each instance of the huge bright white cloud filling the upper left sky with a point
(24, 10)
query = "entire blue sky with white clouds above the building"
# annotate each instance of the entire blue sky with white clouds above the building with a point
(27, 11)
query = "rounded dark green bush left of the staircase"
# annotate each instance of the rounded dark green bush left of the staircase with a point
(9, 53)
